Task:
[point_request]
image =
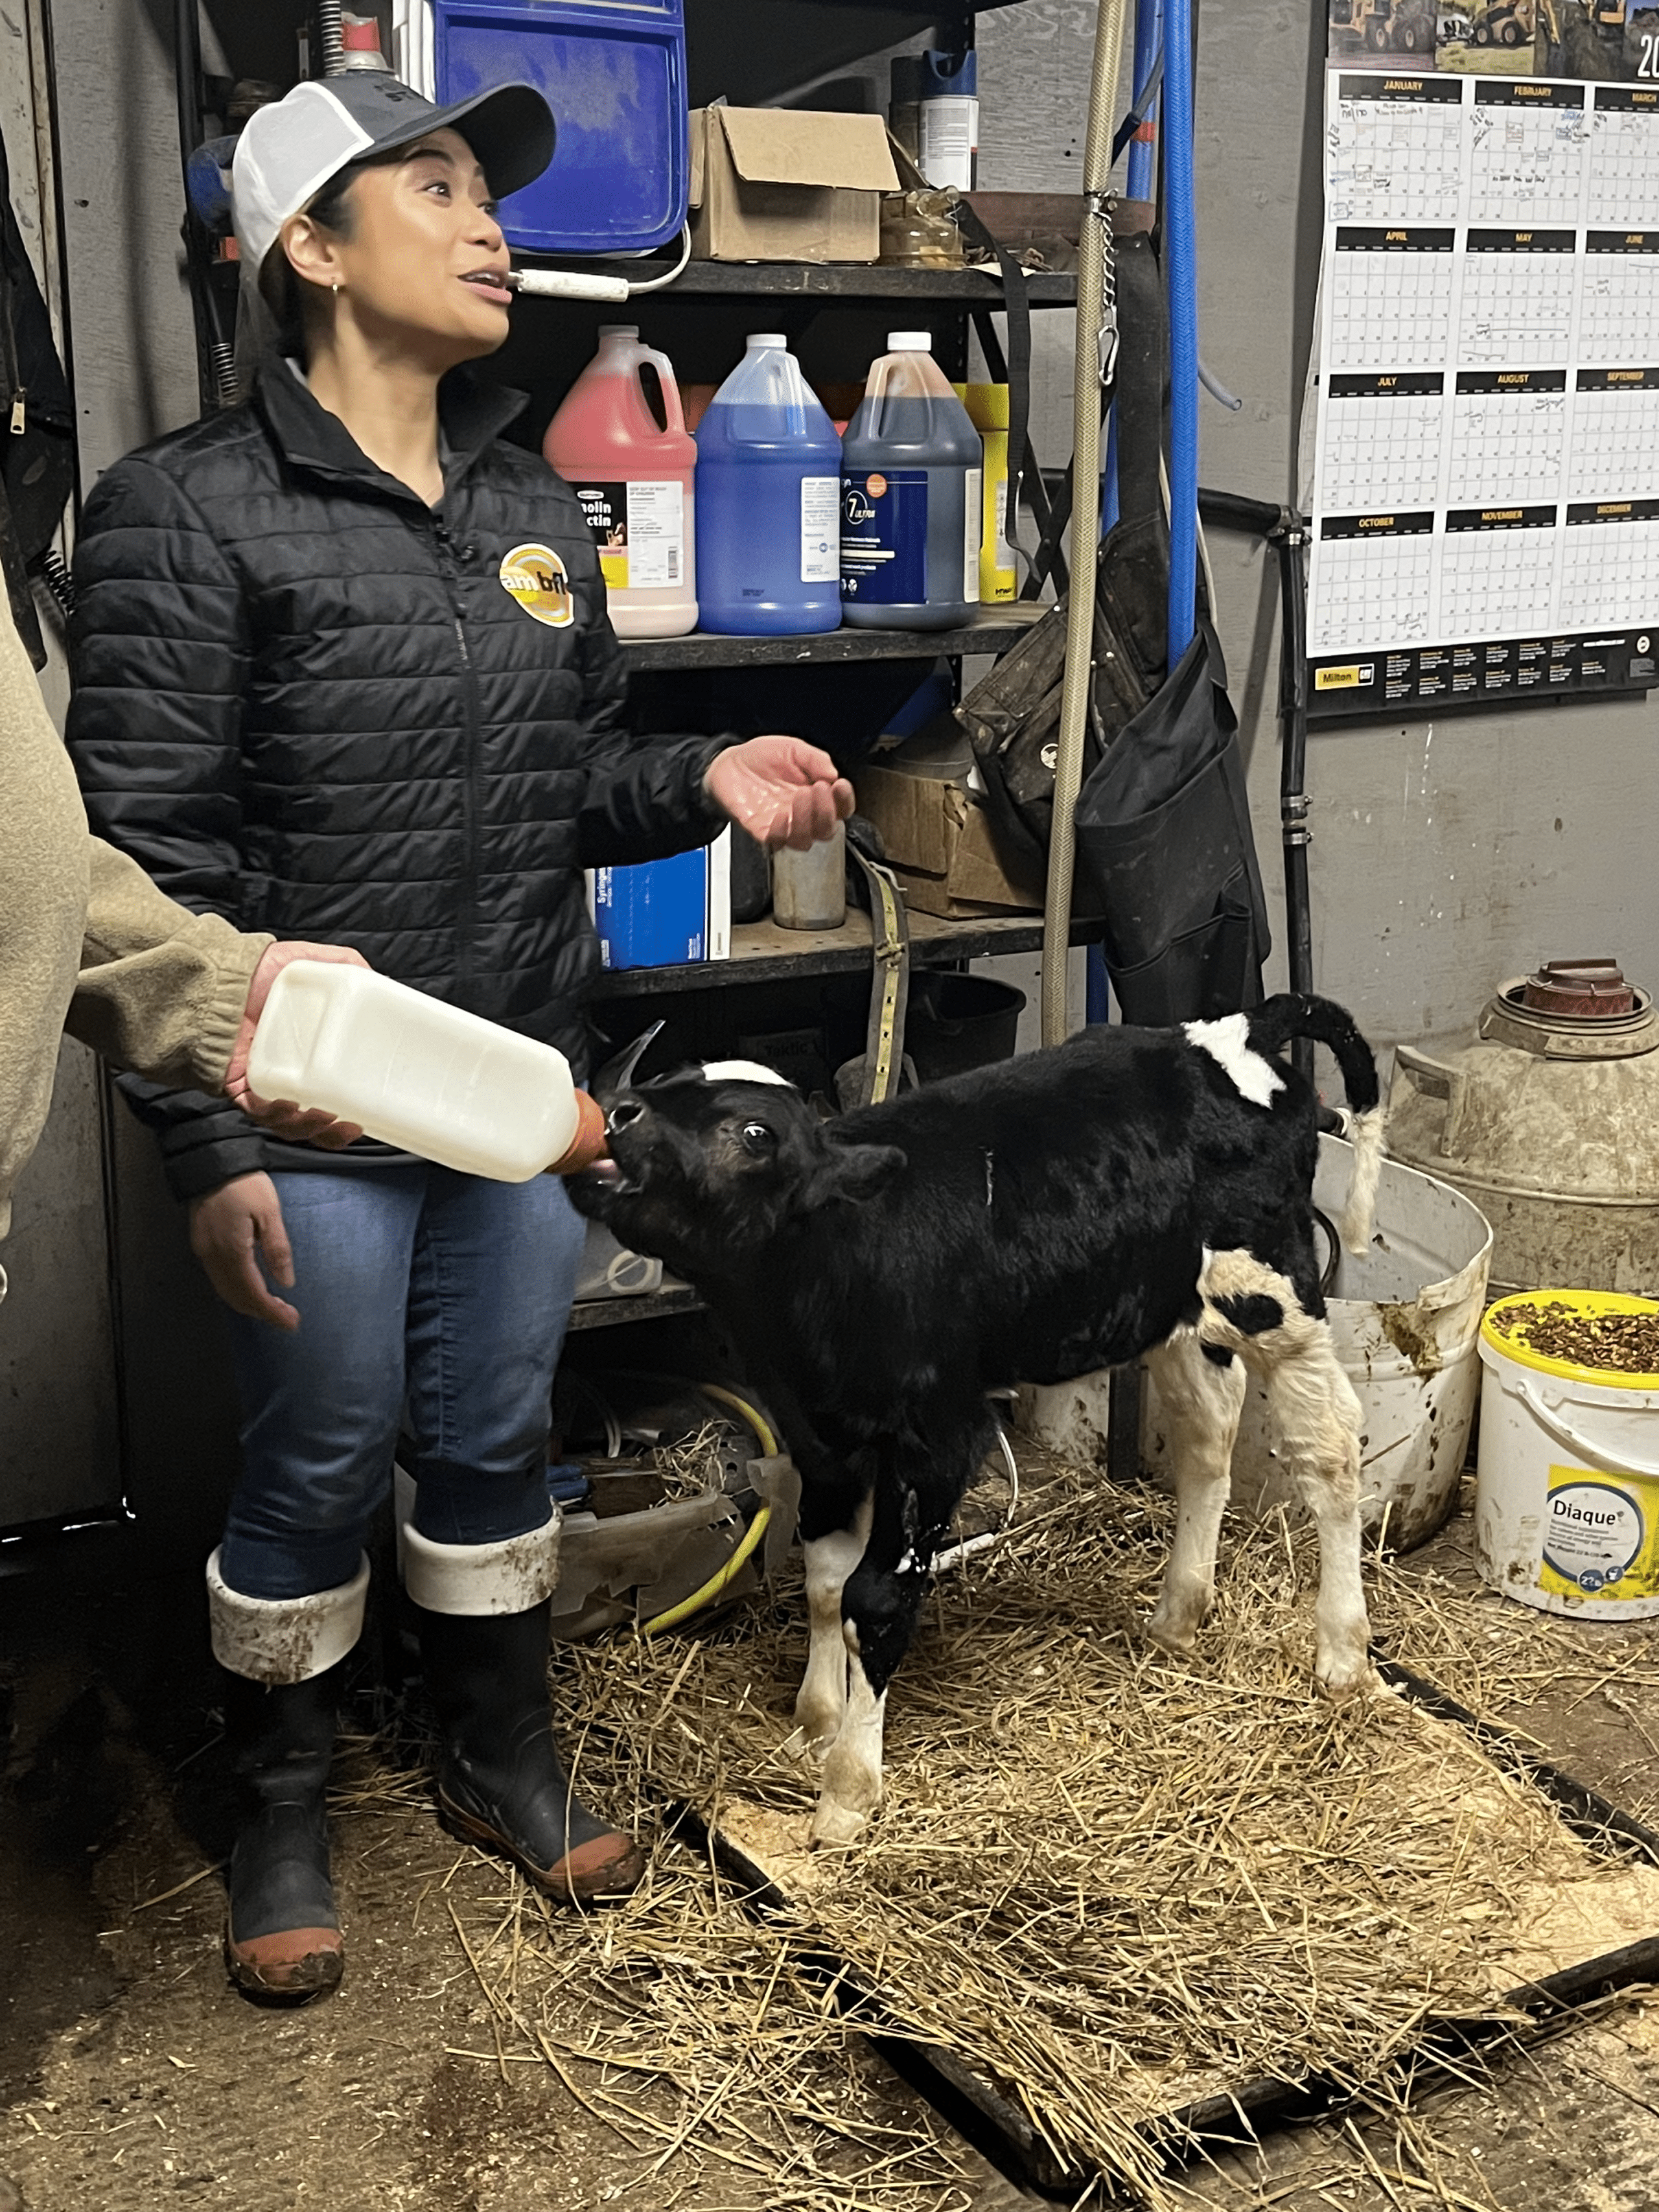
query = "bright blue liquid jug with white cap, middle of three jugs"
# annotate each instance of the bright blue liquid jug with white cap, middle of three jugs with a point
(769, 494)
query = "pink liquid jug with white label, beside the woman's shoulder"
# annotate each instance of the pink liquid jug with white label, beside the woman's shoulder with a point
(634, 481)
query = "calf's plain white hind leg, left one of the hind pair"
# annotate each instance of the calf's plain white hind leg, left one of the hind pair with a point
(1202, 1397)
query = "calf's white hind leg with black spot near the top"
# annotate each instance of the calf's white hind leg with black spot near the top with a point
(1253, 1311)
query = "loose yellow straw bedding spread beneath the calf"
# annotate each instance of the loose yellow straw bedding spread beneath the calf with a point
(1107, 1879)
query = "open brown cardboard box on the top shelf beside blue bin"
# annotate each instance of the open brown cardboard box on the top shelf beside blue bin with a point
(780, 185)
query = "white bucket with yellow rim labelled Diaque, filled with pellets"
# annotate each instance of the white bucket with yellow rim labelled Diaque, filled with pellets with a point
(1567, 1505)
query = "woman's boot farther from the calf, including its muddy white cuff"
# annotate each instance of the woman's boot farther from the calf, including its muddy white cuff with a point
(284, 1660)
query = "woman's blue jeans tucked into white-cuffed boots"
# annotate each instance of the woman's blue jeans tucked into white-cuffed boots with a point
(419, 1291)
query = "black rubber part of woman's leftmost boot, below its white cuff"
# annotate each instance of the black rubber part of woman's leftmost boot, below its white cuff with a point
(284, 1934)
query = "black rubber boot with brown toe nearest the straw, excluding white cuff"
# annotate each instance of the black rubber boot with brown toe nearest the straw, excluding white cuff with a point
(501, 1782)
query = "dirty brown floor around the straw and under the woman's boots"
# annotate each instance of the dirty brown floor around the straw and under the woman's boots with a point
(134, 2076)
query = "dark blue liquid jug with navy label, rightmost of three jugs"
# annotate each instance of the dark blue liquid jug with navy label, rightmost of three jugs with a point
(910, 499)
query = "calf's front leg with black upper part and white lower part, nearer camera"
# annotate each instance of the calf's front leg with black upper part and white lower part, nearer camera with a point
(879, 1609)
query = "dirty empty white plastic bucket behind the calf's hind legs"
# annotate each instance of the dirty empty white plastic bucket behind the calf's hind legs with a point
(1404, 1322)
